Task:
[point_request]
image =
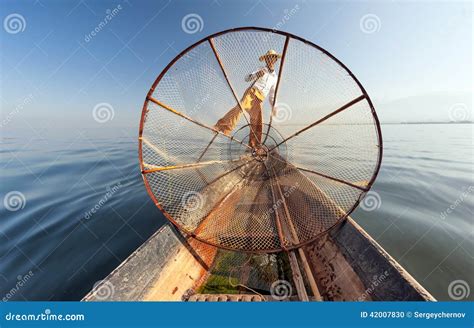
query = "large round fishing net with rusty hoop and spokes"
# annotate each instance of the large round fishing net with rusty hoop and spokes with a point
(318, 155)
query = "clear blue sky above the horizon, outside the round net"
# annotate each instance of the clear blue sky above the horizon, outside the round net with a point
(416, 64)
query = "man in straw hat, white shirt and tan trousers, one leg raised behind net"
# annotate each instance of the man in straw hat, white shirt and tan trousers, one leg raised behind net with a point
(264, 83)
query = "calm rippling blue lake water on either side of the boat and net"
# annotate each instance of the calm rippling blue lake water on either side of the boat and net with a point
(83, 208)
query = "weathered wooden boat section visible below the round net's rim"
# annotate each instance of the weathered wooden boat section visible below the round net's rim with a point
(346, 264)
